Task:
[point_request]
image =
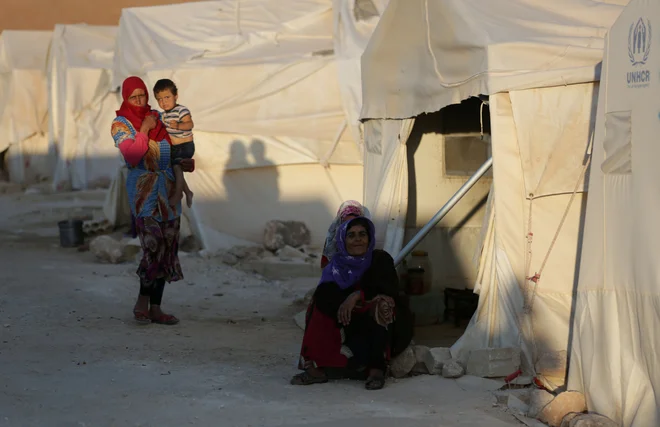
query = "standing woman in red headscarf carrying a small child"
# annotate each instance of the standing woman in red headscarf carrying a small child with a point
(144, 143)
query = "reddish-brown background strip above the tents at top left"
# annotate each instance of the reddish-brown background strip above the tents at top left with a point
(44, 14)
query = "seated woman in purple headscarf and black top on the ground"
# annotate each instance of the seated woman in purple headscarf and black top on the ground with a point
(355, 321)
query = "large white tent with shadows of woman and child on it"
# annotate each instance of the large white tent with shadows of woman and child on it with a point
(261, 80)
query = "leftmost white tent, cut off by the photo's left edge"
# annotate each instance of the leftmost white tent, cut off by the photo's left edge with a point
(23, 105)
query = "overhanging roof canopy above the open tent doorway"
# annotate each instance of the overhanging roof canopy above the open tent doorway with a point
(439, 53)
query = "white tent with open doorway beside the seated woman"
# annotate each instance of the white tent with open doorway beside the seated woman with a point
(538, 61)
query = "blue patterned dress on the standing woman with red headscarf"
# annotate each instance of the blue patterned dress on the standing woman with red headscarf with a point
(149, 185)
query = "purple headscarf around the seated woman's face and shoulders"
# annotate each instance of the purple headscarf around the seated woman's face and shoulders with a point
(344, 269)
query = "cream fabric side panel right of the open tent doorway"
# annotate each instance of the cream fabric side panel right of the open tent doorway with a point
(509, 257)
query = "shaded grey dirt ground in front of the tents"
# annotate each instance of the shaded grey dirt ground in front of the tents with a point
(70, 354)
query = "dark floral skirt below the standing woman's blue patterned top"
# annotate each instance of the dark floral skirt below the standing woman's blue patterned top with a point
(160, 247)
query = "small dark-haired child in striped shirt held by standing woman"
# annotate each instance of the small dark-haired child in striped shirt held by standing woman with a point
(179, 125)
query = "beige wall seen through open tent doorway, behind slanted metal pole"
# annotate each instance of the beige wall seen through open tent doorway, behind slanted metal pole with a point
(451, 244)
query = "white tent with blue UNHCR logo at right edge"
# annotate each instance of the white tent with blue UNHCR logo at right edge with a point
(614, 347)
